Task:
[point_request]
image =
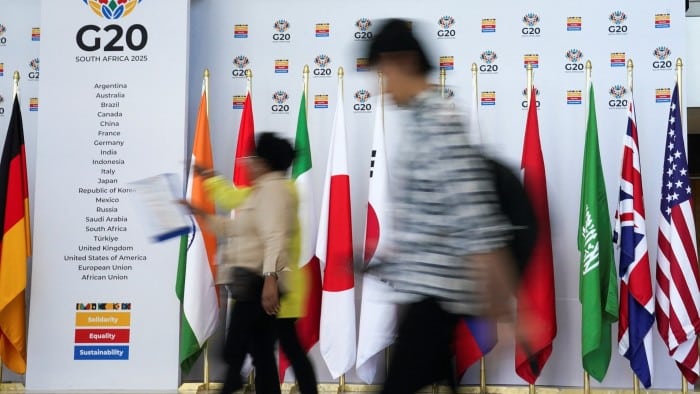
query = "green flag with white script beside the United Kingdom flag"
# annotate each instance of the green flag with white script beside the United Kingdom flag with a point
(597, 279)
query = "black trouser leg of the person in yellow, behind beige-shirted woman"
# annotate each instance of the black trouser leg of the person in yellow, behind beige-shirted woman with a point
(303, 370)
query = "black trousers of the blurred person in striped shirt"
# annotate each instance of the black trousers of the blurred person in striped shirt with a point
(422, 353)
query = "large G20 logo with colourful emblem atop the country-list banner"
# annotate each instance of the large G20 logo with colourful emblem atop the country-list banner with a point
(89, 37)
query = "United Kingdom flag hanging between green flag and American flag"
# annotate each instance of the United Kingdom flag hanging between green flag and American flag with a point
(636, 294)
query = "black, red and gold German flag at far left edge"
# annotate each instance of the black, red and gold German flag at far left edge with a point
(14, 245)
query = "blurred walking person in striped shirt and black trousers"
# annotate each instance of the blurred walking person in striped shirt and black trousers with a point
(447, 254)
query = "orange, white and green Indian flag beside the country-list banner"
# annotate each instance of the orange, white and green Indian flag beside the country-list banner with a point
(196, 269)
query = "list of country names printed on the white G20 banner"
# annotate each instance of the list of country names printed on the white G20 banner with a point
(106, 254)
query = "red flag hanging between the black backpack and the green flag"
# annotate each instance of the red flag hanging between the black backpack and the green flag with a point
(536, 305)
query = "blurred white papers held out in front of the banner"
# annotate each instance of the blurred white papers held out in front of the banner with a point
(158, 202)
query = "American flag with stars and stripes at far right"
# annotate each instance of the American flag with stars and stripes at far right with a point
(677, 293)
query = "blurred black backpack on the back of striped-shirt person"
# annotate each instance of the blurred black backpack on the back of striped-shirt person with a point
(517, 208)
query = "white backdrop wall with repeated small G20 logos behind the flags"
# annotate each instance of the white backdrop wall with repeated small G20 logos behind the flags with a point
(216, 45)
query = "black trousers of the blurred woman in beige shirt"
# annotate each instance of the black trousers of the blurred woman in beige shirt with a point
(251, 330)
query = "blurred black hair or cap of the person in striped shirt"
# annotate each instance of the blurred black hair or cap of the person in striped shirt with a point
(396, 36)
